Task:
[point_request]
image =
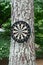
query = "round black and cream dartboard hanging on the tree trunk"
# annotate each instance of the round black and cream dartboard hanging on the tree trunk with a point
(20, 31)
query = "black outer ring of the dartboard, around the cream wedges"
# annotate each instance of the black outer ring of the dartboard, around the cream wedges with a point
(25, 39)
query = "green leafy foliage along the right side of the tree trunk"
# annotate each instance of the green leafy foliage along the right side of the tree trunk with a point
(38, 11)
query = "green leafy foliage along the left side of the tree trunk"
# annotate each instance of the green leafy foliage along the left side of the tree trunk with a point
(5, 15)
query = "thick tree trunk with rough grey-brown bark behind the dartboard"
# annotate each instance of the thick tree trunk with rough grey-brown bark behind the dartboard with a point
(22, 53)
